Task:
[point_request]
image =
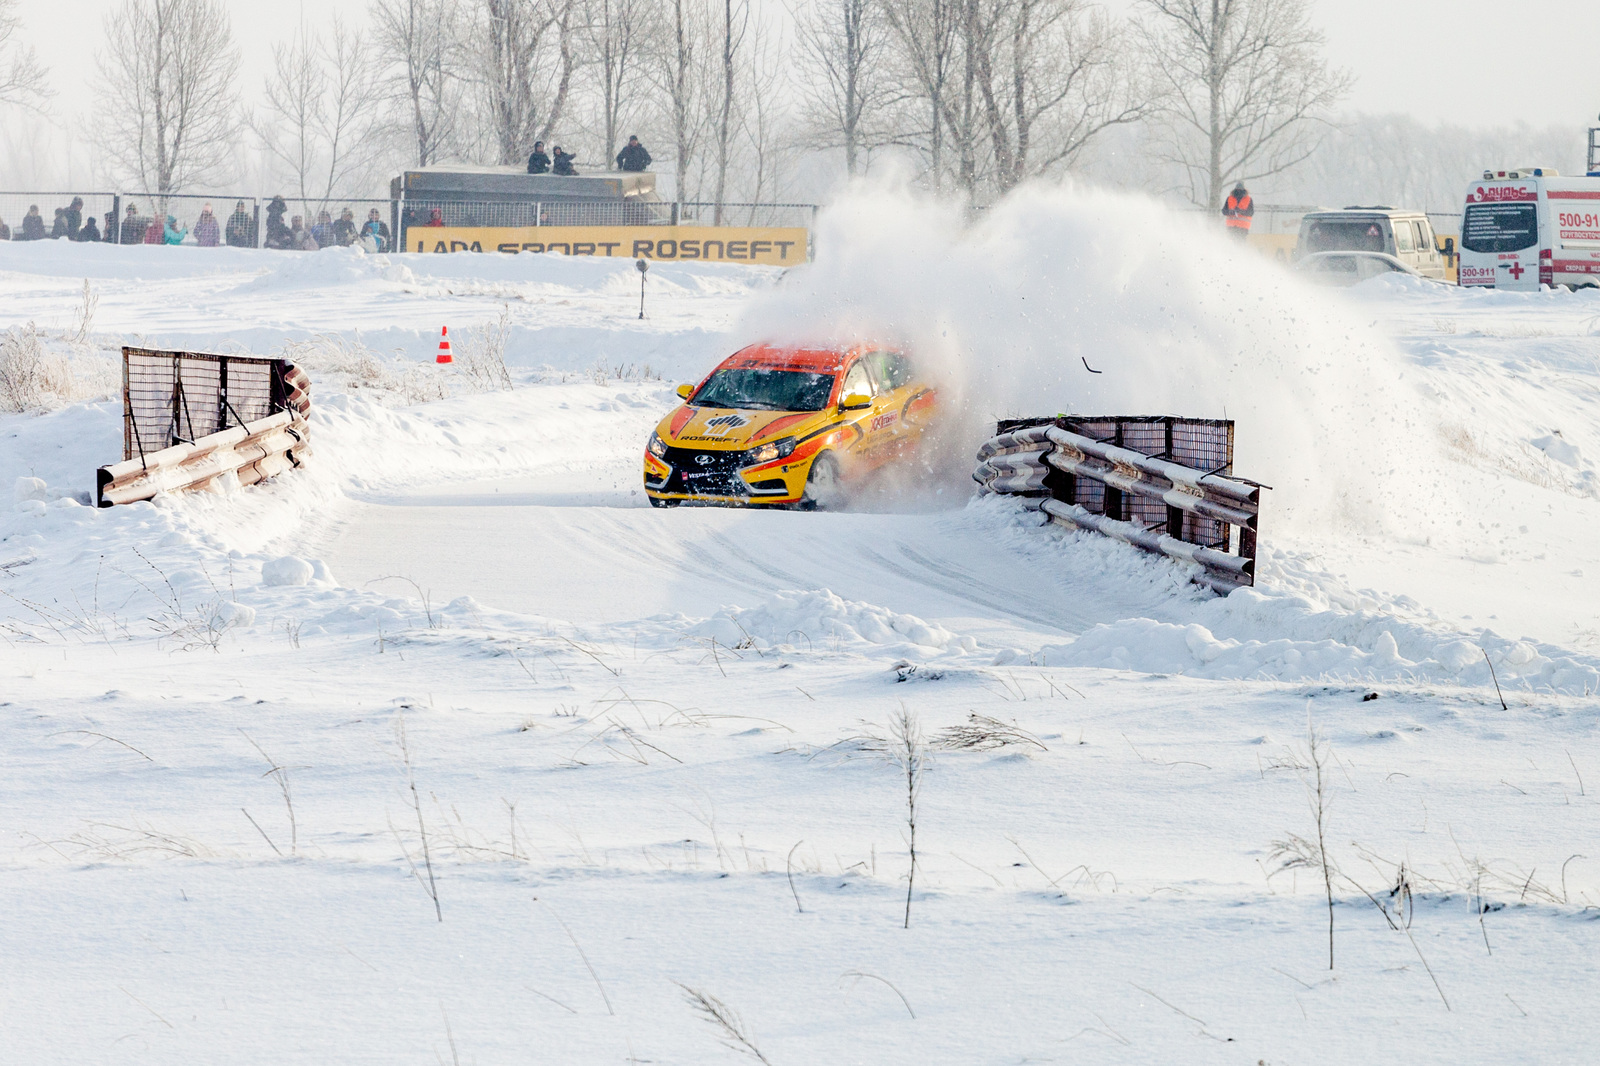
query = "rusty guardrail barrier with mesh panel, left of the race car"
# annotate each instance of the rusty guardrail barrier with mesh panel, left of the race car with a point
(191, 419)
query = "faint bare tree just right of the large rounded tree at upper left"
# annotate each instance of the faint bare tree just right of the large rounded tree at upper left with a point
(318, 119)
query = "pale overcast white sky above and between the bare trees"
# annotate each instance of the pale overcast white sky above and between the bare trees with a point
(1465, 62)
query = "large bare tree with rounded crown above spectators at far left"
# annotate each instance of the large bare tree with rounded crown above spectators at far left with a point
(167, 103)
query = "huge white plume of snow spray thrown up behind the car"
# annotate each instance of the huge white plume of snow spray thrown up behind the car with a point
(1006, 313)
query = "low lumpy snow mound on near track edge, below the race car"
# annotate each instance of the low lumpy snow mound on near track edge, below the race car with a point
(820, 620)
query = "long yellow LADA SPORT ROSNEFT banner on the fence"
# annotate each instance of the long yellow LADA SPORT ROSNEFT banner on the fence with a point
(674, 244)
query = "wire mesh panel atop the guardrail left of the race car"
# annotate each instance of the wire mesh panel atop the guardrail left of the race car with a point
(172, 398)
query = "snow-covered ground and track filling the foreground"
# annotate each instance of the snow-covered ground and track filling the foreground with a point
(646, 750)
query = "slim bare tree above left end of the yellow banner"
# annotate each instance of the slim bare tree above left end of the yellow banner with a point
(418, 38)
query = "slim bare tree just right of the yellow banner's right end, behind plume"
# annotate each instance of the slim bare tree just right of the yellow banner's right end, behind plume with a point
(847, 44)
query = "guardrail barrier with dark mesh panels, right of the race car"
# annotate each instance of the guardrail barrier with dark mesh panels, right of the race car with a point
(1170, 495)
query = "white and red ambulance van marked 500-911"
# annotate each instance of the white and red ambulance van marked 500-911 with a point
(1530, 226)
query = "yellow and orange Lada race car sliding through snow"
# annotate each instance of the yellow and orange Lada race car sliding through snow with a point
(788, 427)
